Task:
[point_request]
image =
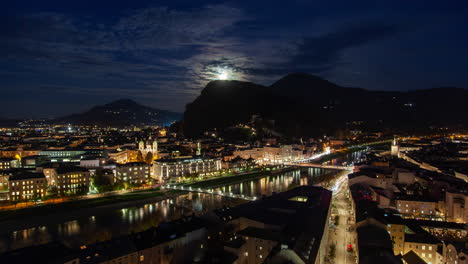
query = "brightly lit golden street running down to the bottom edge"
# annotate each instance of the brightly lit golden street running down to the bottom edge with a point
(338, 235)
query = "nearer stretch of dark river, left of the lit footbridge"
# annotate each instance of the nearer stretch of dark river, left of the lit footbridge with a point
(89, 229)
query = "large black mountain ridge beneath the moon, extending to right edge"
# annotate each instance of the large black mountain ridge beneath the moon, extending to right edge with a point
(305, 105)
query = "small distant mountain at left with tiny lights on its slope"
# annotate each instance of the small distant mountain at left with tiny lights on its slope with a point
(123, 112)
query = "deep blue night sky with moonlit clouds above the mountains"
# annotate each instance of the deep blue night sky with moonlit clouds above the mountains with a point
(60, 57)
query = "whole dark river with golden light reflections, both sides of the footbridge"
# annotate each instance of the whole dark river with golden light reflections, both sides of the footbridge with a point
(115, 222)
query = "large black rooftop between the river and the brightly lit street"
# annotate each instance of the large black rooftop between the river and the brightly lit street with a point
(302, 213)
